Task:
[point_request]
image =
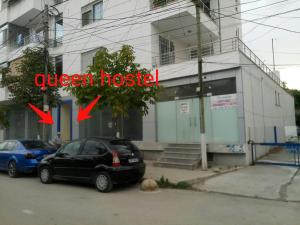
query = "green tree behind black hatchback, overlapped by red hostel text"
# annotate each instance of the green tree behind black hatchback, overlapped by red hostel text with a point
(119, 99)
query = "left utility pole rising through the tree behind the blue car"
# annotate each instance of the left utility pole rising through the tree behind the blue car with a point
(46, 45)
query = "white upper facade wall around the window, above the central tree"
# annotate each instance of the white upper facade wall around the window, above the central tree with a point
(111, 34)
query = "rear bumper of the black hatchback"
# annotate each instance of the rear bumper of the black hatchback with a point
(127, 174)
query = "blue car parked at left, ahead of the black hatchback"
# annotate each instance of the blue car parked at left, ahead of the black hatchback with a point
(22, 156)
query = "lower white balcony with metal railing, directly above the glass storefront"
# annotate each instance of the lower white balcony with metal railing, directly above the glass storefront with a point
(216, 56)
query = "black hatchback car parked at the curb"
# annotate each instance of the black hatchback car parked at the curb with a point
(102, 161)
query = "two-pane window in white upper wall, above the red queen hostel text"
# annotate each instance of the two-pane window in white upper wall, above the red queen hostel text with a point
(92, 13)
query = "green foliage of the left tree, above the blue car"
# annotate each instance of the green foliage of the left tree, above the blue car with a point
(22, 86)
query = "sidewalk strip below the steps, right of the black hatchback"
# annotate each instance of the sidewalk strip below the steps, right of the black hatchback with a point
(177, 175)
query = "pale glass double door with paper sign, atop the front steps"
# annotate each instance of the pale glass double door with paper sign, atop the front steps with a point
(187, 121)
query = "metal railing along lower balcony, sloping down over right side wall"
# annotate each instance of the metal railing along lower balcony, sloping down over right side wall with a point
(215, 48)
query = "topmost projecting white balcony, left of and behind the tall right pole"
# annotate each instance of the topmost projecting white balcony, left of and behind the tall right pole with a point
(181, 26)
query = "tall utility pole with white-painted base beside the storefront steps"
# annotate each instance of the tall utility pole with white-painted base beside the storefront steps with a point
(201, 91)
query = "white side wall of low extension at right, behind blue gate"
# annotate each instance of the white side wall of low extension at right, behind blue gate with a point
(261, 112)
